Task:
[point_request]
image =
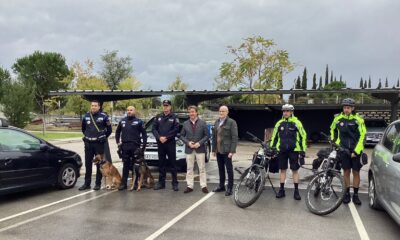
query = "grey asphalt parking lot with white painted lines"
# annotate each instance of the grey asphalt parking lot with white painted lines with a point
(71, 214)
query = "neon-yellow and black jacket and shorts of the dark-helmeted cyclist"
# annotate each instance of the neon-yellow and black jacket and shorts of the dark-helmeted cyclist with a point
(349, 132)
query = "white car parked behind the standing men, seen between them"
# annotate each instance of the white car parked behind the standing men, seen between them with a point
(151, 153)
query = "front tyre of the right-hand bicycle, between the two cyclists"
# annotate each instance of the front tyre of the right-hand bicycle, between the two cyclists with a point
(309, 194)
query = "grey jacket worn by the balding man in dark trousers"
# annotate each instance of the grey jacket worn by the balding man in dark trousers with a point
(228, 134)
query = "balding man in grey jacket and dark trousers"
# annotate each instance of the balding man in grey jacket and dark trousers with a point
(225, 138)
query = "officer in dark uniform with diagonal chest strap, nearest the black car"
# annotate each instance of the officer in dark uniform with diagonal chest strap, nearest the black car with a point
(96, 128)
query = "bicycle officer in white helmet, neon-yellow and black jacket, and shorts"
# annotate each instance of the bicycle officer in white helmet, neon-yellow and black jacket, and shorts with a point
(290, 139)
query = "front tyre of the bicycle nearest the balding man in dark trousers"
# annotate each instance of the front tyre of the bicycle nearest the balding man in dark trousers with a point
(259, 184)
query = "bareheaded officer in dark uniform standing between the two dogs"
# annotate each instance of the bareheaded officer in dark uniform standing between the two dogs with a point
(130, 134)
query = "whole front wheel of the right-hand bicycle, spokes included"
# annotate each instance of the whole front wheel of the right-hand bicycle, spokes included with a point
(325, 192)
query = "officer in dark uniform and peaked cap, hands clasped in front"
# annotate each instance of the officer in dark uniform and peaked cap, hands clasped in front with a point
(165, 129)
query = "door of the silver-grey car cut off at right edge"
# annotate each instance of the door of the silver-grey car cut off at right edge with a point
(393, 176)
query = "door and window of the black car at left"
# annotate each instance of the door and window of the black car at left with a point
(21, 160)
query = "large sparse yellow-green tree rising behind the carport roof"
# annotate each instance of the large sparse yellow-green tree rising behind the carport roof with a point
(256, 62)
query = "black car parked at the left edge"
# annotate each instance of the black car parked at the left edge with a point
(27, 162)
